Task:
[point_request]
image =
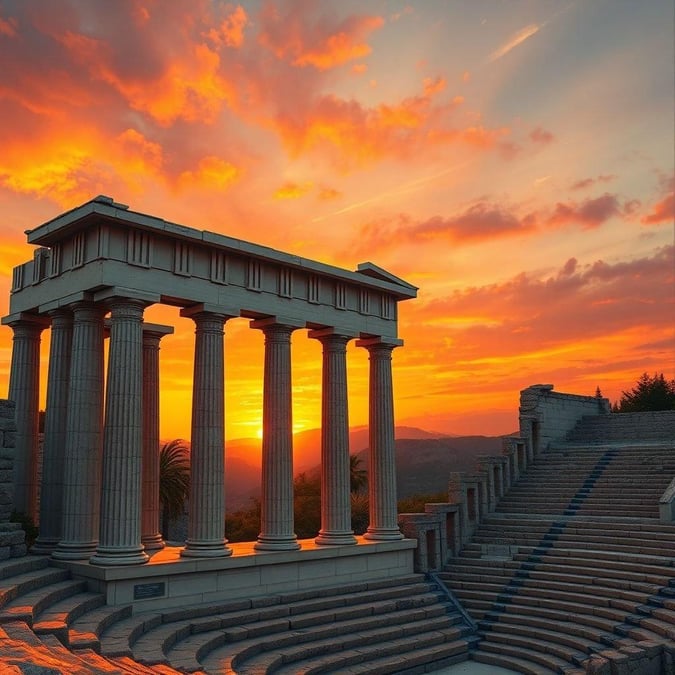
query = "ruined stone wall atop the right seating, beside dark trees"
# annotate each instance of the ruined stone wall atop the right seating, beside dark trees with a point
(546, 416)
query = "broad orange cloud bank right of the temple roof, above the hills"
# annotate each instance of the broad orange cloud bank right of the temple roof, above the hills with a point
(574, 304)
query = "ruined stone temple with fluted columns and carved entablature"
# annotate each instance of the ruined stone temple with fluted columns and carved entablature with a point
(95, 271)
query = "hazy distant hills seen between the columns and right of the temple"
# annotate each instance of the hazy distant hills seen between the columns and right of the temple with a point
(423, 460)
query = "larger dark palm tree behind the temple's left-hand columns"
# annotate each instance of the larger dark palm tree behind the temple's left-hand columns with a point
(174, 480)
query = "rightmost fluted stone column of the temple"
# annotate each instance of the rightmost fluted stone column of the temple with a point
(382, 455)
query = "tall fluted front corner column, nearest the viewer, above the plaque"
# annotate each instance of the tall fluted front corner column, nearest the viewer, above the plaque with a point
(120, 541)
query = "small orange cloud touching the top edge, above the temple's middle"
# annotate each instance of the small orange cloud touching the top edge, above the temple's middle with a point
(304, 39)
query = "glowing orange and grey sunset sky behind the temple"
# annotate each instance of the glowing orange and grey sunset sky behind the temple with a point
(511, 158)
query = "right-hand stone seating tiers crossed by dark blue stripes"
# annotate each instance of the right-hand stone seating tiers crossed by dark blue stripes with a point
(573, 572)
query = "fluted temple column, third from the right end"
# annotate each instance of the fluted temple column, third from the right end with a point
(276, 504)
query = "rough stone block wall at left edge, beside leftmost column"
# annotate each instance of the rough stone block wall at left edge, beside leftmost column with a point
(12, 537)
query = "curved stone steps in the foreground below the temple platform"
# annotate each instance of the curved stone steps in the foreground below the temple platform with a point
(400, 625)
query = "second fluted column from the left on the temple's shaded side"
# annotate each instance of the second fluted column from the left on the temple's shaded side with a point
(53, 448)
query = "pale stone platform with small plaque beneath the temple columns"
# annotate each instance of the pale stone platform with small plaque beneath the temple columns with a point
(168, 580)
